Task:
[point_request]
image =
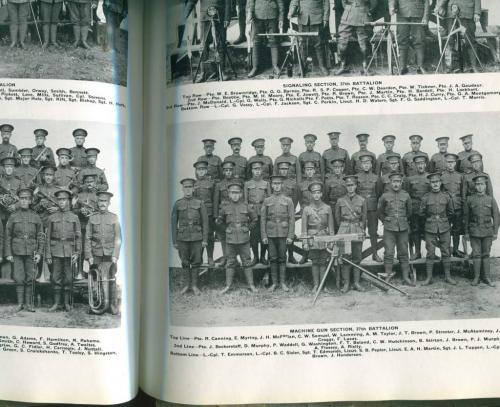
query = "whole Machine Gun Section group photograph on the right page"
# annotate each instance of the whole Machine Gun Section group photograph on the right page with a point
(334, 219)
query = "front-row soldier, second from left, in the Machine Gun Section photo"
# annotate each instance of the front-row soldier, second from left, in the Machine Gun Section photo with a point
(239, 220)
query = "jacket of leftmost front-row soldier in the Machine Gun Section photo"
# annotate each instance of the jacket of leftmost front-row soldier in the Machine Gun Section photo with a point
(189, 221)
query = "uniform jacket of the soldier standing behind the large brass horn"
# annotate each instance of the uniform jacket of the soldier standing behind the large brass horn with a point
(103, 236)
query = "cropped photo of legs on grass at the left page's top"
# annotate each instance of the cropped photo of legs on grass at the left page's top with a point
(71, 39)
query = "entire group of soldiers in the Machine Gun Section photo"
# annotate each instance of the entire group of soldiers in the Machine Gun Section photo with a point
(248, 203)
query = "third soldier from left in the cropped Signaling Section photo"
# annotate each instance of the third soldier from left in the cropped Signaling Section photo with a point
(313, 16)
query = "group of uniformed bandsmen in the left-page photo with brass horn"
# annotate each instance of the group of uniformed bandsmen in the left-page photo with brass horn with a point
(57, 215)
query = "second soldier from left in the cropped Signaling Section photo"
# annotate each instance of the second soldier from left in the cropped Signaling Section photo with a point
(267, 17)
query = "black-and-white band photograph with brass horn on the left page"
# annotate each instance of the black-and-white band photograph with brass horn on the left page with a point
(60, 200)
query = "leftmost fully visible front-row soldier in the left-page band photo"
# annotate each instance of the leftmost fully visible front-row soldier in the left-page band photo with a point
(23, 248)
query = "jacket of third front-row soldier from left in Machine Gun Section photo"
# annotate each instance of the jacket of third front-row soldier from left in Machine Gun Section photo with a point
(277, 217)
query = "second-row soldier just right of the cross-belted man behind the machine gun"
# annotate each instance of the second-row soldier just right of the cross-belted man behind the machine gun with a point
(369, 189)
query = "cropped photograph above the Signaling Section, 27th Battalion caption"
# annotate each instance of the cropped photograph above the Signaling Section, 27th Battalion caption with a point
(219, 40)
